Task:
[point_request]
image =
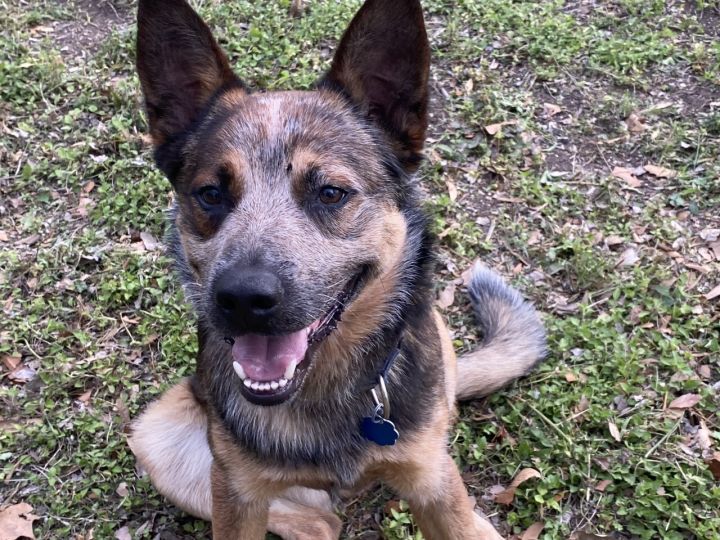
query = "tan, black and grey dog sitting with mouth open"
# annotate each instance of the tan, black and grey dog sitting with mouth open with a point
(302, 247)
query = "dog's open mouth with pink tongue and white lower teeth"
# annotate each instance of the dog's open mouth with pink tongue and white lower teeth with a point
(272, 368)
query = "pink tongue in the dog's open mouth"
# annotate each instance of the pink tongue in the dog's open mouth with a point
(265, 358)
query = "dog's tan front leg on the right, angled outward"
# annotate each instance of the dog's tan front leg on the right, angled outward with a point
(439, 501)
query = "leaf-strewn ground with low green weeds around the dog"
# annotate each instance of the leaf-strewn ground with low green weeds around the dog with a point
(573, 148)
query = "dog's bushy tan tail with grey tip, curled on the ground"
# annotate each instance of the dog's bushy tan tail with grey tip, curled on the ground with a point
(514, 337)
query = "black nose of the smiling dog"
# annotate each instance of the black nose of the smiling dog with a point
(248, 296)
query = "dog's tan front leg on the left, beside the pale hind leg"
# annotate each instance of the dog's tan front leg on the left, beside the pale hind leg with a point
(234, 517)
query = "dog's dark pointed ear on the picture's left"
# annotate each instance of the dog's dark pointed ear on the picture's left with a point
(180, 65)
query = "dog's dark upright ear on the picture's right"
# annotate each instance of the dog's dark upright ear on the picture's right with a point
(382, 64)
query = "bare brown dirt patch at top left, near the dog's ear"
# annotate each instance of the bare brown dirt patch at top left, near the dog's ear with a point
(91, 23)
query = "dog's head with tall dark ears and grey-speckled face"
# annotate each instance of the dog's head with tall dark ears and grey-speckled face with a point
(289, 204)
